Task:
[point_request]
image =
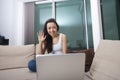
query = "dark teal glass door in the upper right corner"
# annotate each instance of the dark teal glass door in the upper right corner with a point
(111, 19)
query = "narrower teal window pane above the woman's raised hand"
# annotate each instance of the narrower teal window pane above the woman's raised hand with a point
(42, 13)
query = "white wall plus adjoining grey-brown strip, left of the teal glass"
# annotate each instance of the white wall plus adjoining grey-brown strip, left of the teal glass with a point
(15, 25)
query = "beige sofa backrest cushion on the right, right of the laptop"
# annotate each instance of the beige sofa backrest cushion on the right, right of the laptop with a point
(106, 63)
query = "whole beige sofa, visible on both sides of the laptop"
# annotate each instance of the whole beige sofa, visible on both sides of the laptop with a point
(105, 65)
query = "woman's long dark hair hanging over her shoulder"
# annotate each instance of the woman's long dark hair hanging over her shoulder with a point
(49, 40)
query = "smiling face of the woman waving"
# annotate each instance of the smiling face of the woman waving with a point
(52, 29)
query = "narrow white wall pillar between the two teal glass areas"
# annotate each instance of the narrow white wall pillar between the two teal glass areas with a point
(96, 22)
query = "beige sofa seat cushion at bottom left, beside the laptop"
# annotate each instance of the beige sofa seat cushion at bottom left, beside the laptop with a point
(17, 74)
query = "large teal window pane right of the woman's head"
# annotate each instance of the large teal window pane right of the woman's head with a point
(70, 17)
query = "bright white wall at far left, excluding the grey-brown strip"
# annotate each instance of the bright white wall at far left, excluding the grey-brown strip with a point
(10, 21)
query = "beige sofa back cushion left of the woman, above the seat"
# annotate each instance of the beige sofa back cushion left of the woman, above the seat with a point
(16, 56)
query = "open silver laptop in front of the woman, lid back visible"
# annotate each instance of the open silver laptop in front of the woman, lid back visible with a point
(69, 66)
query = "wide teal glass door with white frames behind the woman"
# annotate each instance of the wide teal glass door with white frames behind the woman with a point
(70, 15)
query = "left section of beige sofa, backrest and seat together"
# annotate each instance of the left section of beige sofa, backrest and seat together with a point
(14, 62)
